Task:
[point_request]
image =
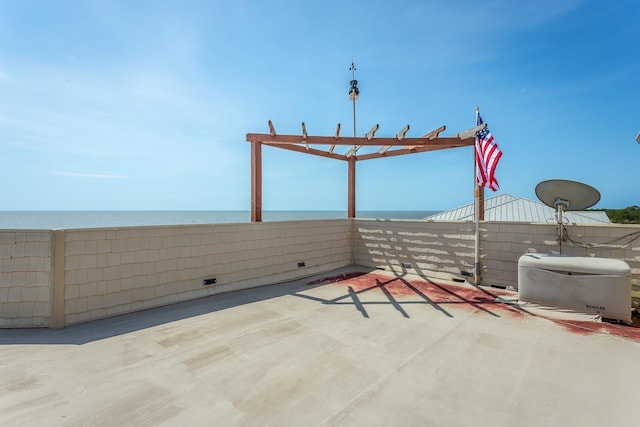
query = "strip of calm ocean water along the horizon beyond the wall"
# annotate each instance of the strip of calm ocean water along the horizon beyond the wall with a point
(95, 219)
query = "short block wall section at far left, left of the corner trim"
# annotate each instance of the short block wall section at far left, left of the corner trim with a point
(25, 270)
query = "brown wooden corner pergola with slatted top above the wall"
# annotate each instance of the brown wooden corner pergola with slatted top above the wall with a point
(387, 147)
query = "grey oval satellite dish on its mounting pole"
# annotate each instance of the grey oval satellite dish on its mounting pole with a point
(564, 195)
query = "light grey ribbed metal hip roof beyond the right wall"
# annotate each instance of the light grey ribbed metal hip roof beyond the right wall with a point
(506, 207)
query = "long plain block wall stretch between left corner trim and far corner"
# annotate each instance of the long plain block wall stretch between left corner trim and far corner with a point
(113, 271)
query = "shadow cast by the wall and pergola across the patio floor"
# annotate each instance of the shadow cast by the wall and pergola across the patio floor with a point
(473, 296)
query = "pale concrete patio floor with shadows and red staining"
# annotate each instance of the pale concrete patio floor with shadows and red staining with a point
(338, 349)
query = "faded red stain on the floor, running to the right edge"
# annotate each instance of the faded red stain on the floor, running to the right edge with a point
(465, 297)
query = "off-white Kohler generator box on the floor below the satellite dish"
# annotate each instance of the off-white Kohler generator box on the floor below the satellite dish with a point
(585, 284)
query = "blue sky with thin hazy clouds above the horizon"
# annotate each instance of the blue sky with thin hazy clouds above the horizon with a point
(136, 105)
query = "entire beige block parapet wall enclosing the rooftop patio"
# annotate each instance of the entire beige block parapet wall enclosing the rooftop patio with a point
(106, 272)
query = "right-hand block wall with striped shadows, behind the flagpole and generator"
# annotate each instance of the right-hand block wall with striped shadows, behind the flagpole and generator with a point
(444, 249)
